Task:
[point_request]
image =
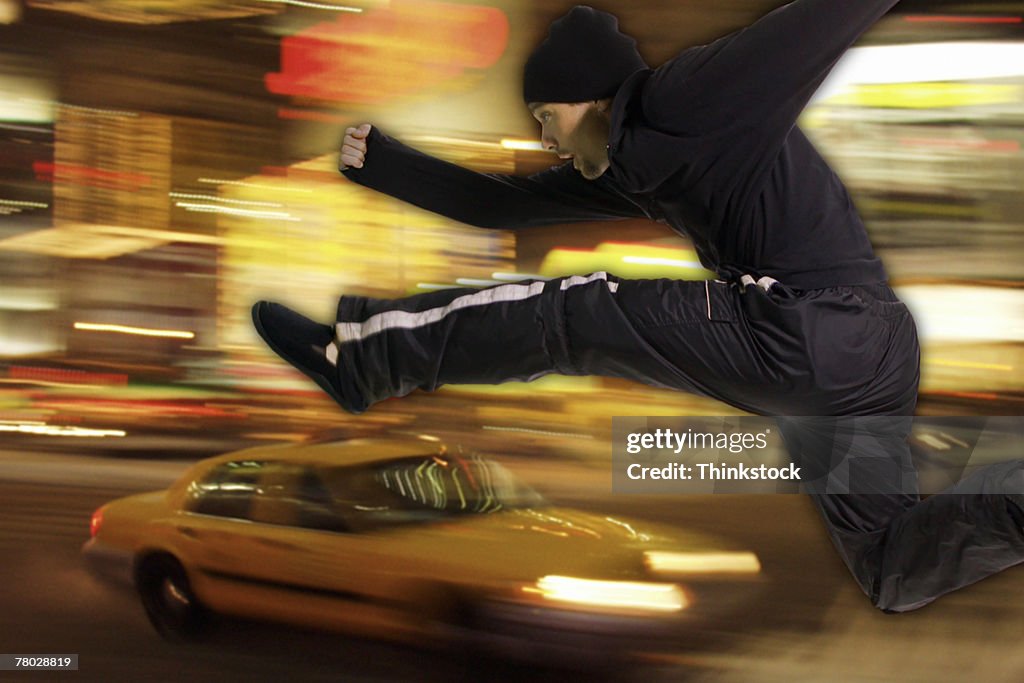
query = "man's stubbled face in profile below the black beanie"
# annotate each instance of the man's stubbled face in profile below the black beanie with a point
(578, 132)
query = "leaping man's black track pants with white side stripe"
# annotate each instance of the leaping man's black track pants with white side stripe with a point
(766, 350)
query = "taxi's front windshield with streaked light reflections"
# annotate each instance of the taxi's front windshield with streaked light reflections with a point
(423, 489)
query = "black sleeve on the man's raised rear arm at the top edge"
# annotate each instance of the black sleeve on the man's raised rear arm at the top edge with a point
(761, 76)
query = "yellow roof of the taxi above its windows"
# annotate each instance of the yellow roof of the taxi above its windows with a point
(351, 452)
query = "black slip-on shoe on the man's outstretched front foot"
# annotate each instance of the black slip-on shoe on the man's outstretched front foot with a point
(304, 345)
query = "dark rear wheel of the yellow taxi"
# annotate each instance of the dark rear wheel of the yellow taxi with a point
(167, 596)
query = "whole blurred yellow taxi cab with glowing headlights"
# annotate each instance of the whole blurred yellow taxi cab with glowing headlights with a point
(403, 539)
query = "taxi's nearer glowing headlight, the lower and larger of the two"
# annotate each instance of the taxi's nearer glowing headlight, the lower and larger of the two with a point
(626, 595)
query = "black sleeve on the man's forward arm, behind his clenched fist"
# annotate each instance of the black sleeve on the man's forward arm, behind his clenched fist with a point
(559, 195)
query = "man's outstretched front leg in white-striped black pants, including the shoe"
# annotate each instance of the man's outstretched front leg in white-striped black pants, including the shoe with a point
(656, 332)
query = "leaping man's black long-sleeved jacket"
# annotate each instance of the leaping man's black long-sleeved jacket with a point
(707, 144)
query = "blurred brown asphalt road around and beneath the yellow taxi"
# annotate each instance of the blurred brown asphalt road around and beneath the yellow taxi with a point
(812, 624)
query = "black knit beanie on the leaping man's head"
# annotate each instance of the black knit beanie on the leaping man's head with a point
(584, 58)
